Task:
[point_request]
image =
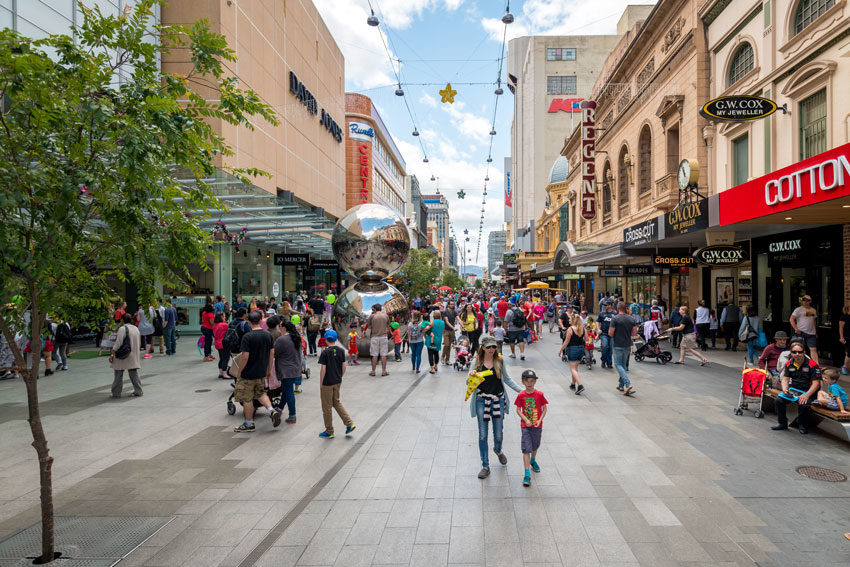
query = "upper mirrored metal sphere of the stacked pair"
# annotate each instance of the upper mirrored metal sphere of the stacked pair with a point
(370, 241)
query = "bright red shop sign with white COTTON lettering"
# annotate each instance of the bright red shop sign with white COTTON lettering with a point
(815, 180)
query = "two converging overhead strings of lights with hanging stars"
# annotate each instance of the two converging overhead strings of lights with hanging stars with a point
(395, 64)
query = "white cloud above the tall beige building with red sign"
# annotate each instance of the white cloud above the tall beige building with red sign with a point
(544, 17)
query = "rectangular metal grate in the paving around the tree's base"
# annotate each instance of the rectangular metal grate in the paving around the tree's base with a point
(96, 541)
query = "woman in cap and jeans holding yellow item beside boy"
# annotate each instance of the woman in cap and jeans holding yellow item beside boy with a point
(489, 402)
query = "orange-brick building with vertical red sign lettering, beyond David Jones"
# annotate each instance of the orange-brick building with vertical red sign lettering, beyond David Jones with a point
(375, 169)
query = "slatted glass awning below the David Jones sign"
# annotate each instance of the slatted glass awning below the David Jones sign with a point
(278, 221)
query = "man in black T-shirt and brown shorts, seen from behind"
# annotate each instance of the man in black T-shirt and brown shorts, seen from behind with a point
(257, 364)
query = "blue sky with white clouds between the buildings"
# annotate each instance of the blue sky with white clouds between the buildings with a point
(457, 41)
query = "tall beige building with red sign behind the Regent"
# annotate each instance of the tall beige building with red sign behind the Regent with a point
(549, 76)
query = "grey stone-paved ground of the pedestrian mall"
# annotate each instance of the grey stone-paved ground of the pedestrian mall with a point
(668, 477)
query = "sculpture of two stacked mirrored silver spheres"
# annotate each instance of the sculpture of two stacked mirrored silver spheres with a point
(371, 242)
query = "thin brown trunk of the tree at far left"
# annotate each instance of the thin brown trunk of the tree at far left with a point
(39, 440)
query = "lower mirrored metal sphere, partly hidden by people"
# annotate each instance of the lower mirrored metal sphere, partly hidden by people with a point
(354, 305)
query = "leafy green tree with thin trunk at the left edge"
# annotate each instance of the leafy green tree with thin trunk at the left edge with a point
(87, 187)
